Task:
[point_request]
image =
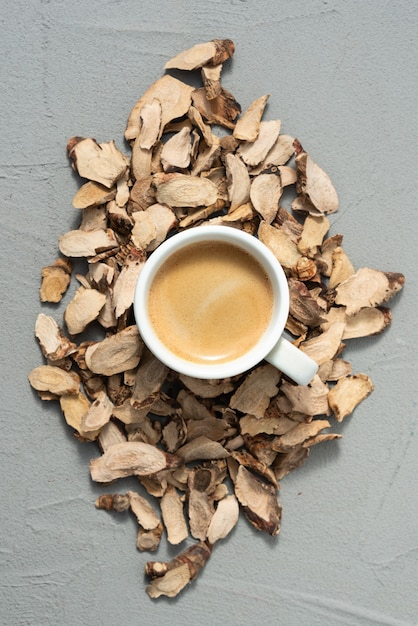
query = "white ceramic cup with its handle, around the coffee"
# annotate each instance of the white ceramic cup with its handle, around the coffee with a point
(272, 346)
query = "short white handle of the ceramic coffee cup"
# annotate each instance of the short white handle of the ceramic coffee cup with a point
(292, 362)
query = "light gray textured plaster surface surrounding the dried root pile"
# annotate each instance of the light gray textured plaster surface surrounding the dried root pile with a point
(342, 77)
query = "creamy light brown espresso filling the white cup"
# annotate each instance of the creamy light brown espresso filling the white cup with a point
(210, 302)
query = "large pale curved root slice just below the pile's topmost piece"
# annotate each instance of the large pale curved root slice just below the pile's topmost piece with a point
(174, 97)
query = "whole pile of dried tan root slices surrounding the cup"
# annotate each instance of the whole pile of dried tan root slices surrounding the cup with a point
(188, 441)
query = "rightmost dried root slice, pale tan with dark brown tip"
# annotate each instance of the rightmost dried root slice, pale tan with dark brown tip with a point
(368, 287)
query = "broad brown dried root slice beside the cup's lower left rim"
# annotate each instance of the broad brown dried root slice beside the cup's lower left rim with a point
(116, 353)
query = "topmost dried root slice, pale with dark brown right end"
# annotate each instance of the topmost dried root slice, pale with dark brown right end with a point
(209, 53)
